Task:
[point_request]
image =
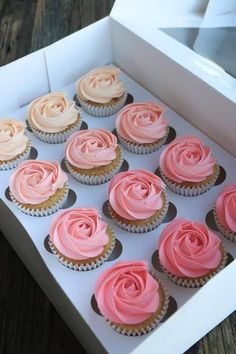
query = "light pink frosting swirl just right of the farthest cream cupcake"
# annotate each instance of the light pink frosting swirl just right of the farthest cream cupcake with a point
(141, 123)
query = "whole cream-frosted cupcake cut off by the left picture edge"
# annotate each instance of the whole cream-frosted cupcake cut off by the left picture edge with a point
(14, 144)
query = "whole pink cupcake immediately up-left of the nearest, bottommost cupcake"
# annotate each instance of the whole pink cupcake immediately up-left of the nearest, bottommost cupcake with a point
(80, 239)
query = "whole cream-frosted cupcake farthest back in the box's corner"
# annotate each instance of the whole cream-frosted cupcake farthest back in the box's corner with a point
(100, 92)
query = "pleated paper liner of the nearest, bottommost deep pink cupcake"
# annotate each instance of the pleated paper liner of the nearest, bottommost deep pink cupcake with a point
(148, 327)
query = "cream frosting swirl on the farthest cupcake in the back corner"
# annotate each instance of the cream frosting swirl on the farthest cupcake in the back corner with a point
(100, 85)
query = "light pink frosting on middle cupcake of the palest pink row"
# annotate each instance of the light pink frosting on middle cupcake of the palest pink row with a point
(91, 148)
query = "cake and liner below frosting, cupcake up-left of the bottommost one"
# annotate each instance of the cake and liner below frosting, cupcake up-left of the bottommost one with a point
(88, 264)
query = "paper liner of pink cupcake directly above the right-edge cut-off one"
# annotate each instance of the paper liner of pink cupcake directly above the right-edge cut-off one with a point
(189, 191)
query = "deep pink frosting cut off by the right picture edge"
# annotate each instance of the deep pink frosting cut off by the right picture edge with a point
(226, 207)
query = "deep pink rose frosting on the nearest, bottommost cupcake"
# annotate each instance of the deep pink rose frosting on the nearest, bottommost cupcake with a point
(126, 293)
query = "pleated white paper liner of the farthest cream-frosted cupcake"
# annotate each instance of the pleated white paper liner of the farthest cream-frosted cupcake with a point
(104, 111)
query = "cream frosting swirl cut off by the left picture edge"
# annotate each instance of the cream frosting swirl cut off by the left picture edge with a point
(13, 140)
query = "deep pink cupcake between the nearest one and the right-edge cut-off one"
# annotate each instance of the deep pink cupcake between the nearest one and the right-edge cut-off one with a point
(190, 253)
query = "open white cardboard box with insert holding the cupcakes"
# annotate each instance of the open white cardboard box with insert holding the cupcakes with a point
(171, 72)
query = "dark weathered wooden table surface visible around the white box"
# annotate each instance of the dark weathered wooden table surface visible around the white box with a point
(28, 322)
